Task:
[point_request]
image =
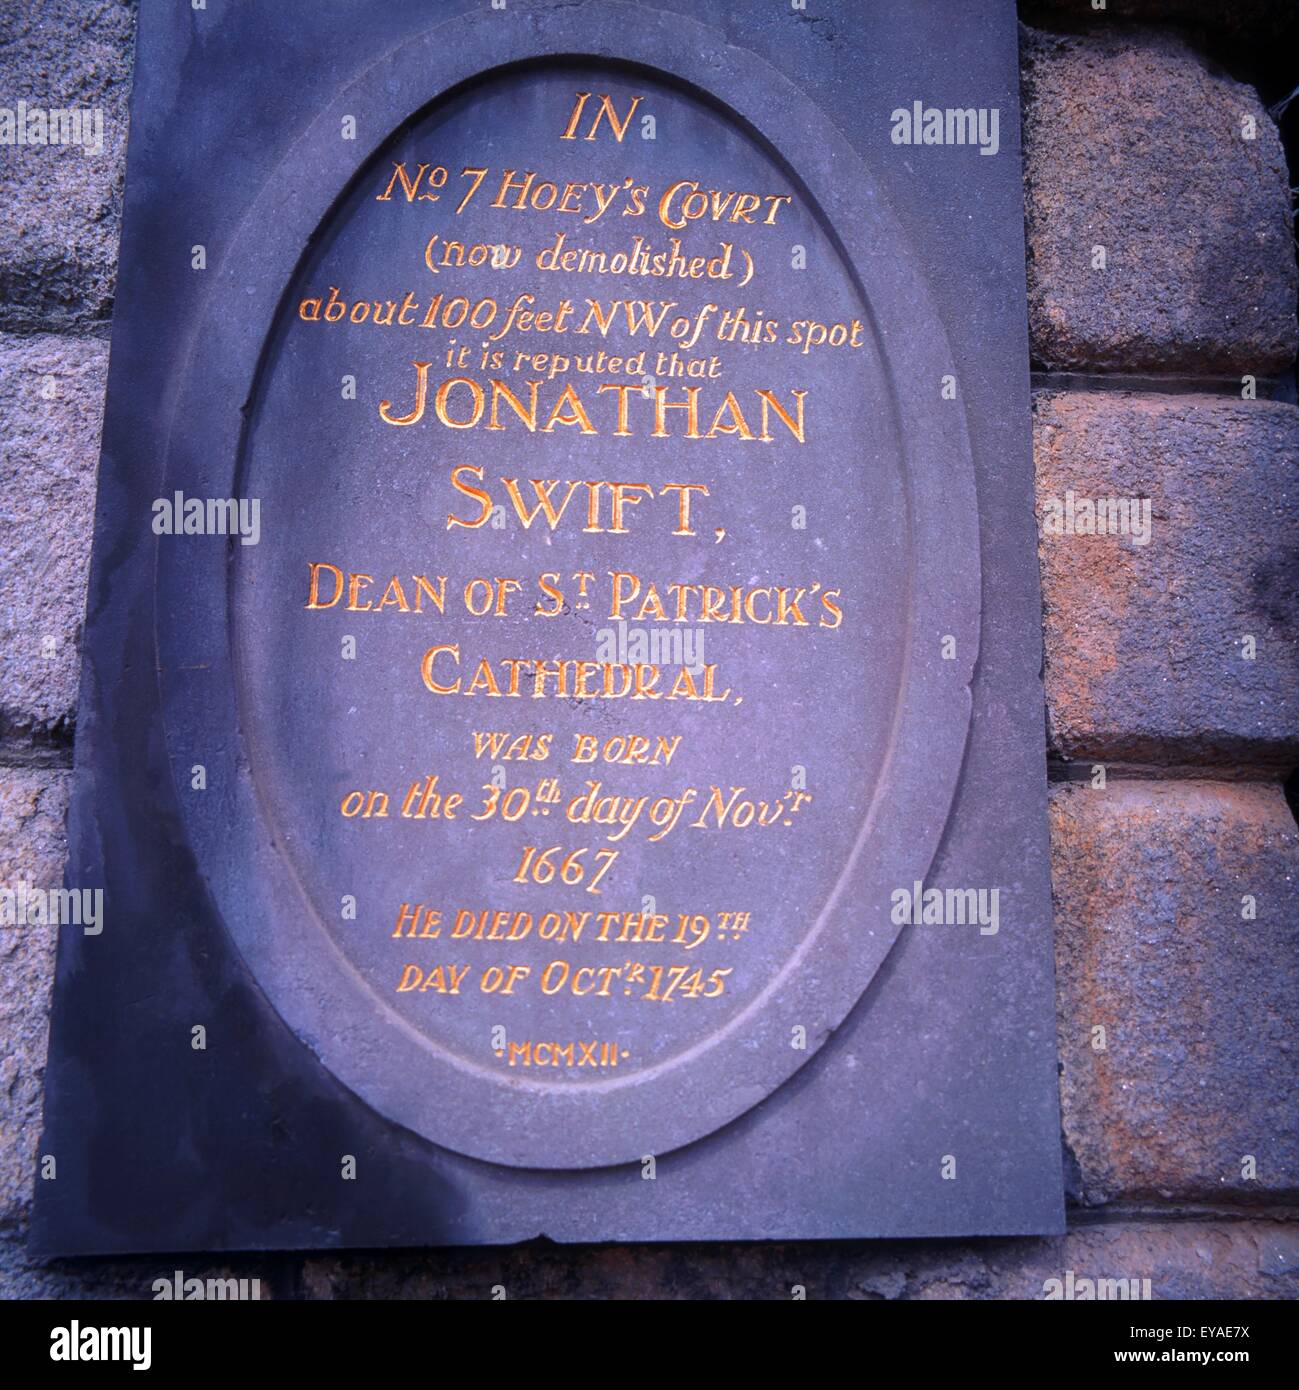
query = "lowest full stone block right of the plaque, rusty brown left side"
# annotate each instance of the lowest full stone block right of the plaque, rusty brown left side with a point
(1200, 1004)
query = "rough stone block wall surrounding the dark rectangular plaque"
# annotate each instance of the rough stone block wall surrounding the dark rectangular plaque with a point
(1172, 672)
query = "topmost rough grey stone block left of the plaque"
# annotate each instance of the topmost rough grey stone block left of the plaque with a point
(62, 206)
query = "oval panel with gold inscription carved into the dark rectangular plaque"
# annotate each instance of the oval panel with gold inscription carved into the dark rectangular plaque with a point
(584, 821)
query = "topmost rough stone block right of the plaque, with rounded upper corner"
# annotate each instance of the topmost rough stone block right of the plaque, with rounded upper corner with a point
(1132, 144)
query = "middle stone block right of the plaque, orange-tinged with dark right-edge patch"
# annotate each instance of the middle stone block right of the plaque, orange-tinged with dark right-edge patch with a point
(1145, 644)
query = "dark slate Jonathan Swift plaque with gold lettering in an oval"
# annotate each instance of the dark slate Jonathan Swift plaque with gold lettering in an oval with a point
(562, 728)
